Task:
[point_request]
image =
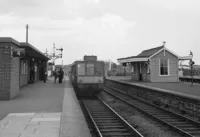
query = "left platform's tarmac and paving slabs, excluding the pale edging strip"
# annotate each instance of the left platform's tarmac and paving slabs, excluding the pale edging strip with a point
(35, 112)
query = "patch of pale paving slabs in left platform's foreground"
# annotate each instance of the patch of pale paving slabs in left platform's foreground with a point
(23, 126)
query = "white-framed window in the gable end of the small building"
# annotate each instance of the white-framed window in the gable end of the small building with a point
(164, 67)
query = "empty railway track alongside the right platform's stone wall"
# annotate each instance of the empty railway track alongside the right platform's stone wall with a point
(180, 124)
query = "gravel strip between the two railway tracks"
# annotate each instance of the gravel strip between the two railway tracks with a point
(145, 126)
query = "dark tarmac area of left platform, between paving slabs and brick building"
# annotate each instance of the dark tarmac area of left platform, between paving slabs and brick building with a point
(37, 97)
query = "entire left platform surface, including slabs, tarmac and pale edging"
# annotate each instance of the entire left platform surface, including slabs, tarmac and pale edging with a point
(39, 117)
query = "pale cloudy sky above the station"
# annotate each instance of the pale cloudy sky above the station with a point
(110, 29)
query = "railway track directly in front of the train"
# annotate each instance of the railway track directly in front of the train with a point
(106, 121)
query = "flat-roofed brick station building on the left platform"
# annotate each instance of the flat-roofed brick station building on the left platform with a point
(17, 72)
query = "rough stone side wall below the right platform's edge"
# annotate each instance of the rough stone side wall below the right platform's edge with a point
(177, 102)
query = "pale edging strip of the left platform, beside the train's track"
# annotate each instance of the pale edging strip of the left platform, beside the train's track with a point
(73, 123)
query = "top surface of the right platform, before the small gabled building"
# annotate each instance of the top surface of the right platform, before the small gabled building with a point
(179, 87)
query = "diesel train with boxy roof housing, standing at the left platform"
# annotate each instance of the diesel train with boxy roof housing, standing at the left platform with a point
(87, 76)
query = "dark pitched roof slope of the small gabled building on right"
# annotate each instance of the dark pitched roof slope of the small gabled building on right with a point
(145, 53)
